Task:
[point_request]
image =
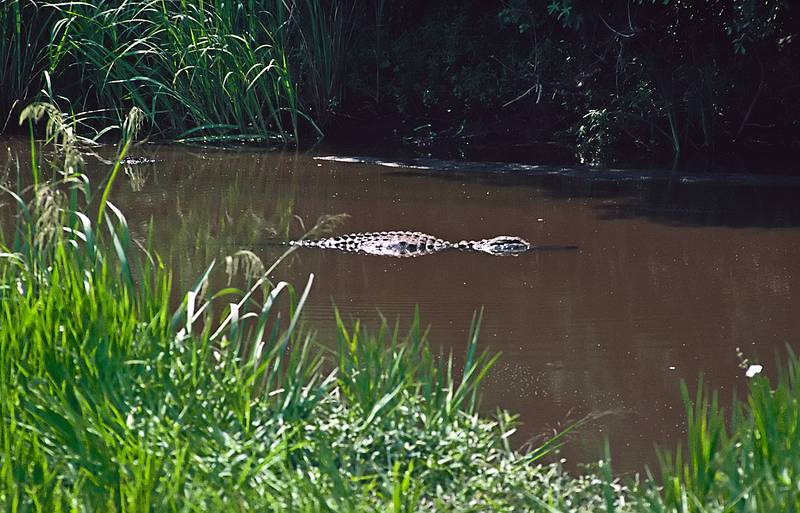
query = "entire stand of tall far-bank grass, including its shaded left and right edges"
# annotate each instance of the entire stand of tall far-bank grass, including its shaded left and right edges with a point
(265, 71)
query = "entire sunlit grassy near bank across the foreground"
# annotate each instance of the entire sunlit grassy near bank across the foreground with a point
(112, 400)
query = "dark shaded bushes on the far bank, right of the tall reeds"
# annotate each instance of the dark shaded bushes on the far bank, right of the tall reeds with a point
(674, 77)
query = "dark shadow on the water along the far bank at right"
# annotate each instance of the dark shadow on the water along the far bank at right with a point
(725, 200)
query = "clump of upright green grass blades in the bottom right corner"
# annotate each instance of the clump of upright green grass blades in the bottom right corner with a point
(743, 461)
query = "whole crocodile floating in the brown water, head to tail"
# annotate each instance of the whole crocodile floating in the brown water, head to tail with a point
(411, 244)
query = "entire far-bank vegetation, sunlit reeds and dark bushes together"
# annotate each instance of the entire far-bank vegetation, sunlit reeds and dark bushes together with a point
(606, 81)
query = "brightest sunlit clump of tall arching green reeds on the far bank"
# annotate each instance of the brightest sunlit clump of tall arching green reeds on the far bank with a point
(201, 71)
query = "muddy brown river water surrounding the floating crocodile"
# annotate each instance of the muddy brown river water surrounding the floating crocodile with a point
(672, 272)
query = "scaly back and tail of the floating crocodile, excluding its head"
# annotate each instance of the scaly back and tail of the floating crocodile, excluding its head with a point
(395, 244)
